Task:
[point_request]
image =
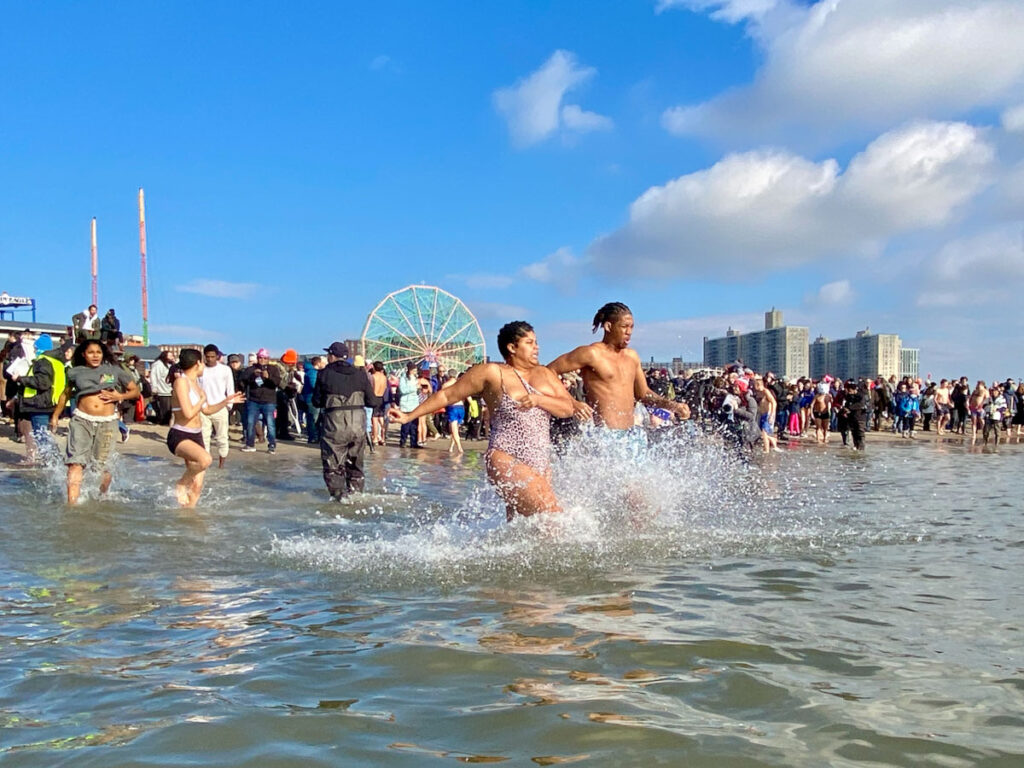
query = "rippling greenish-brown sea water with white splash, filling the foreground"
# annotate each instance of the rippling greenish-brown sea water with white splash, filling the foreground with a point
(810, 609)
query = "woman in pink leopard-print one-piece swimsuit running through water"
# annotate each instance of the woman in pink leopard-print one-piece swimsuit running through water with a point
(522, 398)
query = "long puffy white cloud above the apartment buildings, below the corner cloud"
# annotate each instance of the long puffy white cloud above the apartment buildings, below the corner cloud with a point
(758, 211)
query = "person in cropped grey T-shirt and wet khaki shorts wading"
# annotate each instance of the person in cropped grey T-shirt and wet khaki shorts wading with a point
(93, 433)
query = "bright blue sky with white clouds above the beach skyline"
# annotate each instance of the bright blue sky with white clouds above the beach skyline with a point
(700, 160)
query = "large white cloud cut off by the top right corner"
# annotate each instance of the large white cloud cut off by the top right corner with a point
(839, 66)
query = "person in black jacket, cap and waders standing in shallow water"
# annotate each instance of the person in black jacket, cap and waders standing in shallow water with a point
(342, 393)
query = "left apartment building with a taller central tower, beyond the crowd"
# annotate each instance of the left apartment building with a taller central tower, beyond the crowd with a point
(782, 350)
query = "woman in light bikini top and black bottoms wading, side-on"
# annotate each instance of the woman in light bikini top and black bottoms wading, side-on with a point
(185, 439)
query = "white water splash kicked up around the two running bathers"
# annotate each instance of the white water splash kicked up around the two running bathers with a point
(682, 496)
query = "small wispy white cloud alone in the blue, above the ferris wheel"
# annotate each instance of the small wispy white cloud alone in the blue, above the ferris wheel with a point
(533, 107)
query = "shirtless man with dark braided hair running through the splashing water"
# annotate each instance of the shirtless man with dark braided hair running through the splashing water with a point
(613, 374)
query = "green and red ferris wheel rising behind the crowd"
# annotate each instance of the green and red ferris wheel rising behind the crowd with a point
(423, 324)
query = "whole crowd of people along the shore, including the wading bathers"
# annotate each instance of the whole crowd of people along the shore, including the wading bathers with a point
(346, 405)
